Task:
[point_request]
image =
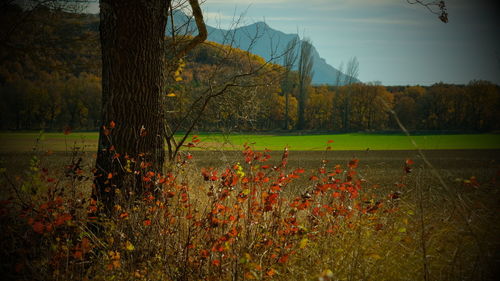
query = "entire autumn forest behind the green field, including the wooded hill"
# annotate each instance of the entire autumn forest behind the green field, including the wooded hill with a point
(50, 79)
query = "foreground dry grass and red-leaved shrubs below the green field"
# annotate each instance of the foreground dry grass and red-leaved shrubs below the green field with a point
(229, 229)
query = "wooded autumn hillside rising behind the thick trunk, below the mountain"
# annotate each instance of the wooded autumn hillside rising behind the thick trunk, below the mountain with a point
(50, 75)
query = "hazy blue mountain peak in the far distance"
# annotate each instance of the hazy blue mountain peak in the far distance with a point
(260, 39)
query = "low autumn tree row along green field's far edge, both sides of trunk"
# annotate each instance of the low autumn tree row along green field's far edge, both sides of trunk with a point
(53, 102)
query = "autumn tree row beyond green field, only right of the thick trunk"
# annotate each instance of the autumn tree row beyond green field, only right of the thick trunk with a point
(371, 107)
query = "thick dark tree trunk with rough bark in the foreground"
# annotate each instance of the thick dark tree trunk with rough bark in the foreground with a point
(133, 75)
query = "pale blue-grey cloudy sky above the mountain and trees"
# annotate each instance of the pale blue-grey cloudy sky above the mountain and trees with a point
(396, 43)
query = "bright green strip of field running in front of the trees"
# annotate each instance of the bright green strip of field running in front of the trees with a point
(19, 142)
